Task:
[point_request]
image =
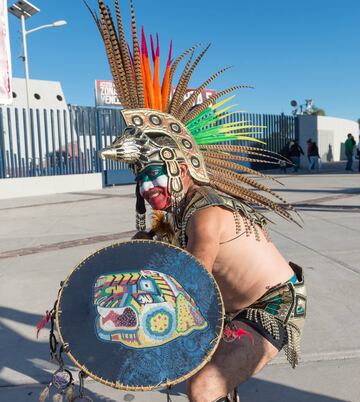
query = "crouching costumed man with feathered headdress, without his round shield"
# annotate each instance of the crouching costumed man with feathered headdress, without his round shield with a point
(188, 170)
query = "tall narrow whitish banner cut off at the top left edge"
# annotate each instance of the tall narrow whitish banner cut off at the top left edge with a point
(5, 57)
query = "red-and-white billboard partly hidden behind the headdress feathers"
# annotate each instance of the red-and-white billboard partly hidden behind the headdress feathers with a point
(105, 94)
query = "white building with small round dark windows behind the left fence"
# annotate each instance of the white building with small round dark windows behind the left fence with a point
(50, 110)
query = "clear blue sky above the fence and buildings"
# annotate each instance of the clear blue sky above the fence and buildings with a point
(287, 50)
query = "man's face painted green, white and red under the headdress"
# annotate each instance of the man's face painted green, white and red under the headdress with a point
(153, 182)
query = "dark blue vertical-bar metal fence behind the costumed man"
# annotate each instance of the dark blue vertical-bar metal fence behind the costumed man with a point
(59, 142)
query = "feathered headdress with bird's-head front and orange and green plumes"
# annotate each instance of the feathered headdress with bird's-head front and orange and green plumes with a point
(197, 134)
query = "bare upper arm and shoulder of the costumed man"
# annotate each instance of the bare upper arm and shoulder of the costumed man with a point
(203, 231)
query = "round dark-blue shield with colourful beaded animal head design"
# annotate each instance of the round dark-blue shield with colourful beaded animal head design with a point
(140, 315)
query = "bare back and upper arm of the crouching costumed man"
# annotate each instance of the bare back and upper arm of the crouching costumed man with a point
(244, 267)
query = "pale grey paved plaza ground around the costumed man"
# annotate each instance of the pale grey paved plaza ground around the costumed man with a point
(42, 238)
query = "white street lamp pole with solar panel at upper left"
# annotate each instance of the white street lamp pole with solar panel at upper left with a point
(22, 9)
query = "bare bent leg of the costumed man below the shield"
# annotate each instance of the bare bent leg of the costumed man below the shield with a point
(232, 364)
